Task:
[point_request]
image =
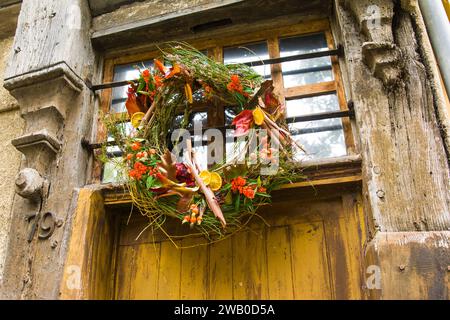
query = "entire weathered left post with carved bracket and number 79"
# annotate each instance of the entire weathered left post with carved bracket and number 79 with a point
(52, 62)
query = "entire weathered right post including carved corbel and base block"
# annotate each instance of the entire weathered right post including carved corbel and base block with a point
(405, 161)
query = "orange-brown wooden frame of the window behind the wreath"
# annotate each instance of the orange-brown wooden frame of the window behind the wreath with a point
(271, 35)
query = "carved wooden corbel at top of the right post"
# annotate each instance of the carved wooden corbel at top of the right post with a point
(379, 52)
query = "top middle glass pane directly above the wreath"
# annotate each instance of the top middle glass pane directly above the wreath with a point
(249, 52)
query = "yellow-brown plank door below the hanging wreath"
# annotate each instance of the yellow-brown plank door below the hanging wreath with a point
(312, 250)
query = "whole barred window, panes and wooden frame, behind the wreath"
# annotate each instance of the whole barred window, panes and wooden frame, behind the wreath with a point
(308, 87)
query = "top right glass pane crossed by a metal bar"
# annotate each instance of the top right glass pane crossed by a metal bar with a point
(301, 72)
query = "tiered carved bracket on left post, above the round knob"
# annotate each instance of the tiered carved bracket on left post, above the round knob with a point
(44, 97)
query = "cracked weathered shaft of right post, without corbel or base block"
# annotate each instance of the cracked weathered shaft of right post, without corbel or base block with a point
(405, 167)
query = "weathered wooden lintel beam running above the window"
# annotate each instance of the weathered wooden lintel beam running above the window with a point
(175, 25)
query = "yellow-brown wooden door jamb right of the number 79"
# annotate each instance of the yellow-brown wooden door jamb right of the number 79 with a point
(90, 256)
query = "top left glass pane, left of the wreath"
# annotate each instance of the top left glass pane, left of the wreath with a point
(121, 73)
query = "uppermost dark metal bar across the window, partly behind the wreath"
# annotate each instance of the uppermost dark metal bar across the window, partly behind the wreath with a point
(303, 56)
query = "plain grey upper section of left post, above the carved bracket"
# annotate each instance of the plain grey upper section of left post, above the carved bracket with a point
(49, 33)
